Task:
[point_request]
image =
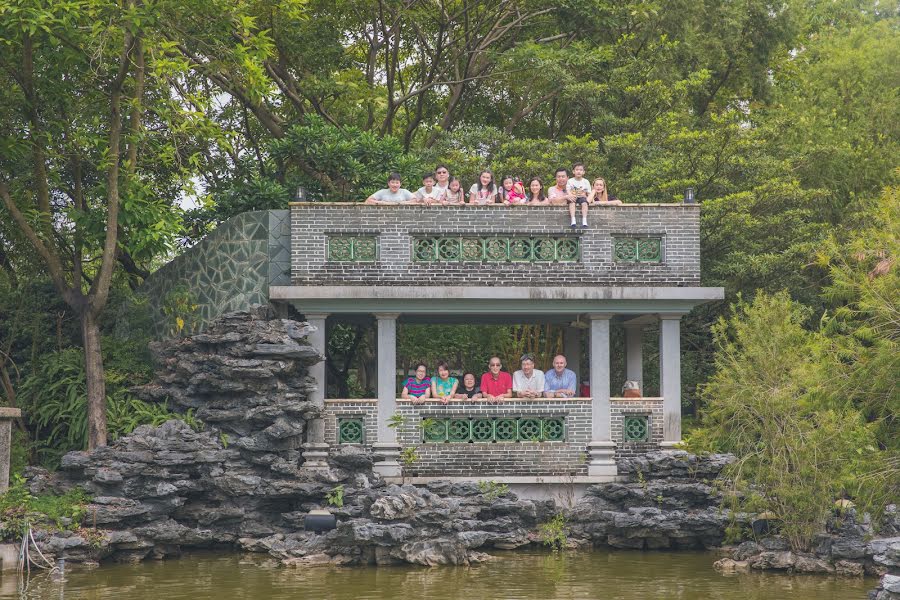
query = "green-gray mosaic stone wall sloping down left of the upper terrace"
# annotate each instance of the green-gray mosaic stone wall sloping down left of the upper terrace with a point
(230, 269)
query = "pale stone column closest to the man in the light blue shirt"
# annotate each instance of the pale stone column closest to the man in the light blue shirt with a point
(601, 449)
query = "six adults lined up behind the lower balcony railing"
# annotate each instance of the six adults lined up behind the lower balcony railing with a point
(496, 385)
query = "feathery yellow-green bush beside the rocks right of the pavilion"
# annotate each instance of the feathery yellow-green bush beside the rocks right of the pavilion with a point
(799, 446)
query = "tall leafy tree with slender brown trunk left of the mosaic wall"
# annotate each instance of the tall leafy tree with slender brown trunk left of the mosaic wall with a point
(88, 146)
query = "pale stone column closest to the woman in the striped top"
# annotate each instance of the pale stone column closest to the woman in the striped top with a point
(387, 446)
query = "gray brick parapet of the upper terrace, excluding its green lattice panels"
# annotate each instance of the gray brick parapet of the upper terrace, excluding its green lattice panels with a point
(311, 224)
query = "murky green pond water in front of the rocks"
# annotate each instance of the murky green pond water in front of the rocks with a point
(532, 575)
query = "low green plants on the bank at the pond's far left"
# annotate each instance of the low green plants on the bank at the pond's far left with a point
(19, 507)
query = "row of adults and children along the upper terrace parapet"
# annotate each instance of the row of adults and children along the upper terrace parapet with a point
(440, 188)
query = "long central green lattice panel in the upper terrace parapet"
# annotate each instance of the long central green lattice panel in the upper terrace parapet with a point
(497, 249)
